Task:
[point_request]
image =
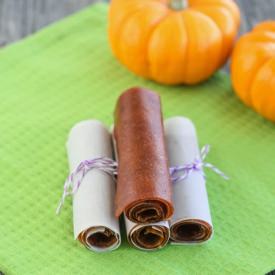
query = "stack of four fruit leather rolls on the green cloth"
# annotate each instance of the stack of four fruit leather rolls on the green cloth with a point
(155, 210)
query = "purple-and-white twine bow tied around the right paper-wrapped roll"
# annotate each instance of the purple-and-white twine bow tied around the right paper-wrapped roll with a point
(196, 166)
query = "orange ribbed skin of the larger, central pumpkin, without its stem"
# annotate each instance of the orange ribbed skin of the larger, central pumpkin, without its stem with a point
(173, 46)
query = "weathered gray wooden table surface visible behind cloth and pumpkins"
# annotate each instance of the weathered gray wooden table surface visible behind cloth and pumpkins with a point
(19, 18)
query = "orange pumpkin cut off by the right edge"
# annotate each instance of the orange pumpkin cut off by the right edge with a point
(253, 69)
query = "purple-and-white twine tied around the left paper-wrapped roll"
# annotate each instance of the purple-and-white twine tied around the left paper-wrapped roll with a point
(74, 180)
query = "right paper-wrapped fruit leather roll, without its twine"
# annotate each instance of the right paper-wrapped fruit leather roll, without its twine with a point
(191, 222)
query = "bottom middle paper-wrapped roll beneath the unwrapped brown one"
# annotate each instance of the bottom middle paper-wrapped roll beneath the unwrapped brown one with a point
(146, 237)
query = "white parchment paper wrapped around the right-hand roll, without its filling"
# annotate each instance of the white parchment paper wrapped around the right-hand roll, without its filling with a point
(189, 195)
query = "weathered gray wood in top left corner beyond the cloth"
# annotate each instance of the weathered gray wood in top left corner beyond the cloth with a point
(19, 18)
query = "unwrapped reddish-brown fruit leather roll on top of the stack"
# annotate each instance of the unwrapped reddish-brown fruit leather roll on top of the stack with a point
(143, 185)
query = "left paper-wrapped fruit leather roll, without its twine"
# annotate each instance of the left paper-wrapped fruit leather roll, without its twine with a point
(95, 224)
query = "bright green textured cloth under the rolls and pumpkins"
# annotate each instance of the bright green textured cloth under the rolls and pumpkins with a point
(66, 73)
